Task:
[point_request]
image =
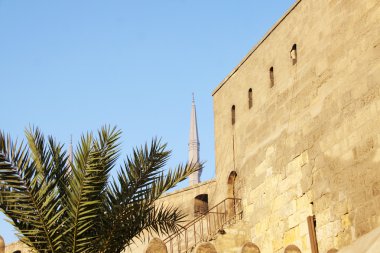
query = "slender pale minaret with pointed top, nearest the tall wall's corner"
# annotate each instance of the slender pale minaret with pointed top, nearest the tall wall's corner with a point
(194, 145)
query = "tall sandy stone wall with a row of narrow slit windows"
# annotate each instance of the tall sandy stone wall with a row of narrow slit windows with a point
(309, 145)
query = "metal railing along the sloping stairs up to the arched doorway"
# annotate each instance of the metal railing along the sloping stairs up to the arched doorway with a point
(205, 227)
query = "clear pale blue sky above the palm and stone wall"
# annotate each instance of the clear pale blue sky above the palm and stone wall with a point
(70, 66)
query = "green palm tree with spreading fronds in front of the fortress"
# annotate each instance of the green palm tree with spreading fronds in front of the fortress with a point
(62, 206)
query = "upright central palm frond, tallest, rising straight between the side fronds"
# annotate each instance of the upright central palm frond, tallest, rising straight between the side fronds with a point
(93, 162)
